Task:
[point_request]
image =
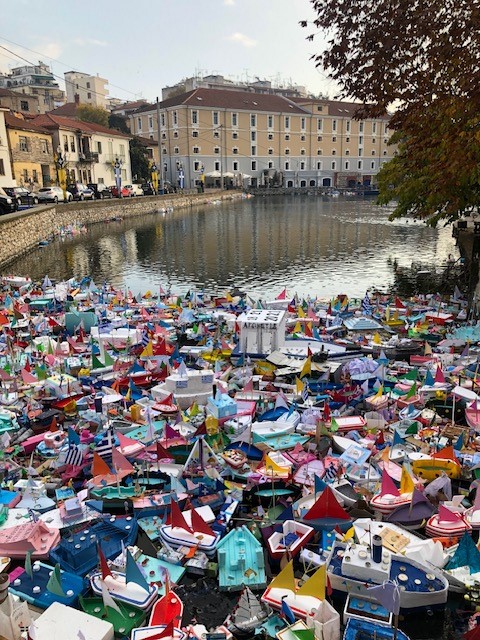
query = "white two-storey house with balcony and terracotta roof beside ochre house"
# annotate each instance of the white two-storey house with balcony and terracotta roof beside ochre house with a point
(90, 150)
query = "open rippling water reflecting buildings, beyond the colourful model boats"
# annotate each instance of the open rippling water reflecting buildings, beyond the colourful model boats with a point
(311, 245)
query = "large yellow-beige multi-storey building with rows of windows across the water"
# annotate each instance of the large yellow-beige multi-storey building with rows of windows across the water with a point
(244, 137)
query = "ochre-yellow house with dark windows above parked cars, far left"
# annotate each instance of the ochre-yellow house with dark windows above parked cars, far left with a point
(31, 152)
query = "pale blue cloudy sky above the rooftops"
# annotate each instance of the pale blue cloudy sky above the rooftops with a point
(140, 47)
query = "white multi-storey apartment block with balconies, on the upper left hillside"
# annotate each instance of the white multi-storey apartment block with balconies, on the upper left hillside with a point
(38, 81)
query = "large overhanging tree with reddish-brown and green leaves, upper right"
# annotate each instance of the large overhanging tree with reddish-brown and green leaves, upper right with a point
(423, 58)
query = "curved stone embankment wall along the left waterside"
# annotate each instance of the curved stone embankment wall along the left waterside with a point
(22, 231)
